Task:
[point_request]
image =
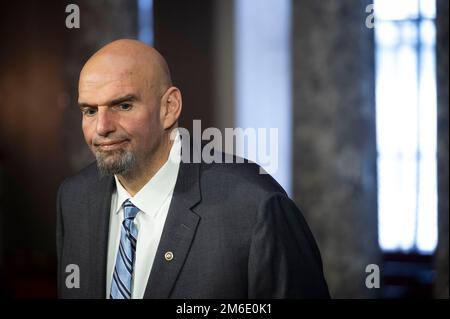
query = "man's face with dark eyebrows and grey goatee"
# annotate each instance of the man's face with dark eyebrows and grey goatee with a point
(120, 117)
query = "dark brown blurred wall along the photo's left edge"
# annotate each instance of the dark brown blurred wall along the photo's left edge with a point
(31, 153)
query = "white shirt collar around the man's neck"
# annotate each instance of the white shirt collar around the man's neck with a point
(153, 194)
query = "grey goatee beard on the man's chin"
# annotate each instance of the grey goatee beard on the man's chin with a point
(120, 162)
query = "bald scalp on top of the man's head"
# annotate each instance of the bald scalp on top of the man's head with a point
(130, 57)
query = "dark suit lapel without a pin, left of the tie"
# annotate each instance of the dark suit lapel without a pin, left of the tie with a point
(99, 208)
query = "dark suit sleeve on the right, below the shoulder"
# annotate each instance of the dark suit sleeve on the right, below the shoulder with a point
(284, 260)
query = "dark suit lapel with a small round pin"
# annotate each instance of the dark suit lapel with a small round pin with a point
(178, 233)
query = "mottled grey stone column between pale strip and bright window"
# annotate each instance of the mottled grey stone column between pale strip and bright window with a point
(335, 179)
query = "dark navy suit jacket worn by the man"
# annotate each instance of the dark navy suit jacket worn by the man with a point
(234, 233)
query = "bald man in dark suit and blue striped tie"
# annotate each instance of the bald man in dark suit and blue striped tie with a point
(140, 223)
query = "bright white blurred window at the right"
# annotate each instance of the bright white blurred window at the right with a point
(406, 119)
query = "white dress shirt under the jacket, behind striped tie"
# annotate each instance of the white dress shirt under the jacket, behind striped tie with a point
(153, 202)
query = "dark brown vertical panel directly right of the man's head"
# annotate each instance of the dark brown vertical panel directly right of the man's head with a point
(184, 34)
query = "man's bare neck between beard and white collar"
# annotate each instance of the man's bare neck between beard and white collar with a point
(135, 180)
